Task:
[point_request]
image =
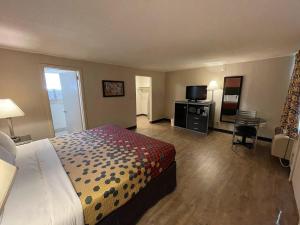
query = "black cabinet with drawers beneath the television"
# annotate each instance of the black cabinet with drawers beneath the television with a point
(194, 115)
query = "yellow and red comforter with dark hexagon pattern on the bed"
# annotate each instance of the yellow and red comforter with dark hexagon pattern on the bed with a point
(109, 165)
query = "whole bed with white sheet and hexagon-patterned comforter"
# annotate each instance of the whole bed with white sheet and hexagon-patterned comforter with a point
(107, 175)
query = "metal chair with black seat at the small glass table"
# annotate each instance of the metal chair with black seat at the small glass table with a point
(245, 125)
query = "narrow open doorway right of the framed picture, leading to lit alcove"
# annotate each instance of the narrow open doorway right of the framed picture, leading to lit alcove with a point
(143, 100)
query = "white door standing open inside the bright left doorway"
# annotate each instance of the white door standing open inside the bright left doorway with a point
(71, 100)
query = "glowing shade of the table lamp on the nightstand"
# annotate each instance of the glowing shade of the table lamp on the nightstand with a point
(9, 109)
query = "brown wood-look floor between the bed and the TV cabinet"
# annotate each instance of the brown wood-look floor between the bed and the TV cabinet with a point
(218, 186)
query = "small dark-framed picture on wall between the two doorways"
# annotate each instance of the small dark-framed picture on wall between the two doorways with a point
(112, 88)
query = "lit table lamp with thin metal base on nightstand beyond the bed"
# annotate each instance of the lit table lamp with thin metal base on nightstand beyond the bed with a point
(8, 110)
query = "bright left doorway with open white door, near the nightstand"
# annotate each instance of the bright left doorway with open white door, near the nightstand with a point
(64, 94)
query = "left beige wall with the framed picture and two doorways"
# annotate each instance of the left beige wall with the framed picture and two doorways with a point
(21, 80)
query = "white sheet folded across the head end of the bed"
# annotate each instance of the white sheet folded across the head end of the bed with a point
(42, 193)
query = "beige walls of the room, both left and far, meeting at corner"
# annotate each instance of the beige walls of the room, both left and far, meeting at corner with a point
(264, 89)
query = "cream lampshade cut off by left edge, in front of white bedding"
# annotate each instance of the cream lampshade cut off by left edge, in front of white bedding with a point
(7, 176)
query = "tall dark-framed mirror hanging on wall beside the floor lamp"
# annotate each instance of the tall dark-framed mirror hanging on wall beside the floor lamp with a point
(231, 98)
